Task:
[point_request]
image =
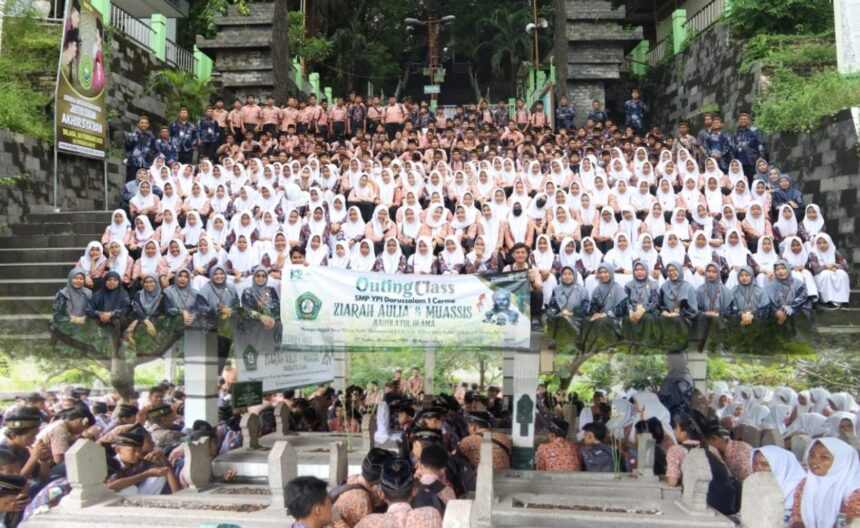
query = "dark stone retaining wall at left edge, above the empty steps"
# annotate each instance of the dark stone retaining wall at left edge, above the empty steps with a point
(81, 180)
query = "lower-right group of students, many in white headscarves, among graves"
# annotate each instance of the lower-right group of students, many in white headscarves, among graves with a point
(820, 484)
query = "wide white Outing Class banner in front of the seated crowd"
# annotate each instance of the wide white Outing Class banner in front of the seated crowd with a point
(332, 309)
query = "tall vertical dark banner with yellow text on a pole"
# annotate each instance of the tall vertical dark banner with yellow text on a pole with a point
(81, 120)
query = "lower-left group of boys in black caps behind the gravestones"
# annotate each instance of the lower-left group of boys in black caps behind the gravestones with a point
(142, 440)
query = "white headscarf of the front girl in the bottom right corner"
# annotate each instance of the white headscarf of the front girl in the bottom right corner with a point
(823, 497)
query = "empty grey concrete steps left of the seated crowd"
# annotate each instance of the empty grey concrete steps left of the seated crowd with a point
(34, 263)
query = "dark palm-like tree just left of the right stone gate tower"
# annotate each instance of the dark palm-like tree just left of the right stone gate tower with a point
(509, 41)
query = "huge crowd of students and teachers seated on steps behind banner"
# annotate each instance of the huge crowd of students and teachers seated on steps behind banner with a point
(640, 221)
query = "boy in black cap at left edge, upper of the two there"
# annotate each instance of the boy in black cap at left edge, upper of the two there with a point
(33, 455)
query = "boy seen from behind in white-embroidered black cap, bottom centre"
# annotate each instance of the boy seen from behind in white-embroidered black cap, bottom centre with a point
(397, 482)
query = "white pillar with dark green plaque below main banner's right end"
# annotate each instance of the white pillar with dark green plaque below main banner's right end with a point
(526, 369)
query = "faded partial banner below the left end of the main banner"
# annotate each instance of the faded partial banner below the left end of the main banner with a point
(259, 358)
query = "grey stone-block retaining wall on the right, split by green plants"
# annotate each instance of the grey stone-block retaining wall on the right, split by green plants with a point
(825, 163)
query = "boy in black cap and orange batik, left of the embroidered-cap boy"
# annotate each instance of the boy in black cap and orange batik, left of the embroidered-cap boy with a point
(361, 495)
